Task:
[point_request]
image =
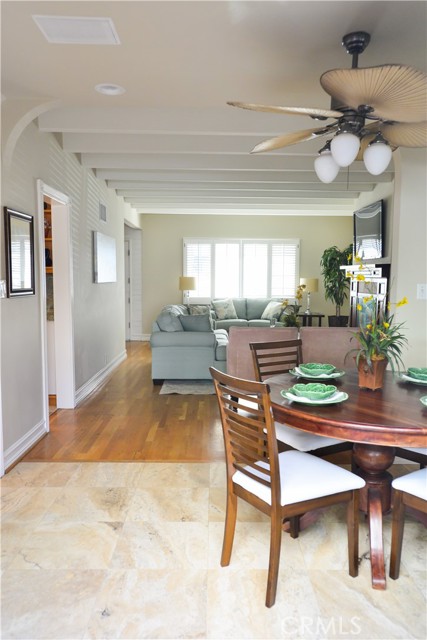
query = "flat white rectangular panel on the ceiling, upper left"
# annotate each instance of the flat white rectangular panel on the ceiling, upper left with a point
(77, 30)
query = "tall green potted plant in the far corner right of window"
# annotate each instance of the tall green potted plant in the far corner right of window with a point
(335, 280)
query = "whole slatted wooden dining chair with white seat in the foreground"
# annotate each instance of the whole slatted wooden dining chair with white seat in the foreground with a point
(283, 486)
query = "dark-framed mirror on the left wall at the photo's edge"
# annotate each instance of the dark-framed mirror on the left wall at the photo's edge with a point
(19, 238)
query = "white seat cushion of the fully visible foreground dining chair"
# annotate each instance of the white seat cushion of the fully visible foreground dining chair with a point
(302, 477)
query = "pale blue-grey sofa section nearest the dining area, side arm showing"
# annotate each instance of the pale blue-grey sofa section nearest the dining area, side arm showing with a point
(184, 344)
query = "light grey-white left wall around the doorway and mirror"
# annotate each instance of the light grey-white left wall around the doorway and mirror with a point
(99, 332)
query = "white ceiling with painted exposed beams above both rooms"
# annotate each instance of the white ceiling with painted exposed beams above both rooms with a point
(170, 144)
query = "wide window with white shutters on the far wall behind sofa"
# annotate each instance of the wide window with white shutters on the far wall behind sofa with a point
(226, 268)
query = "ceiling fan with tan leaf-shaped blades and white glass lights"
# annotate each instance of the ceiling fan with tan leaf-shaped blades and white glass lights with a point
(375, 109)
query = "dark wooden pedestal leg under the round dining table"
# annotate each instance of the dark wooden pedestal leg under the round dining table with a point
(373, 462)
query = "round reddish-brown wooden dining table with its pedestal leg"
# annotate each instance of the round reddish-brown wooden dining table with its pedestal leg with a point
(377, 422)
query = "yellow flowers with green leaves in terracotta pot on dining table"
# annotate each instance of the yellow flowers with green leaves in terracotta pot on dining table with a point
(380, 337)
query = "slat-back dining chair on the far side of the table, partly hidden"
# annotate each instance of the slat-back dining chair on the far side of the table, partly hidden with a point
(273, 358)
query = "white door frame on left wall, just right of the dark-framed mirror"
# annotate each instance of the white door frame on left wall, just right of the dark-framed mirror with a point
(63, 293)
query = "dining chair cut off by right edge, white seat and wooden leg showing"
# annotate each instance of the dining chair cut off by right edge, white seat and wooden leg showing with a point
(408, 491)
